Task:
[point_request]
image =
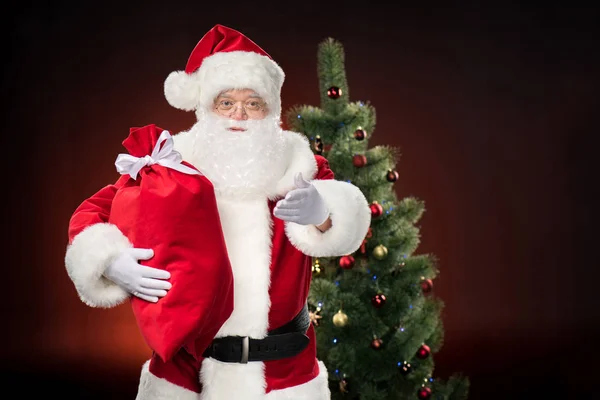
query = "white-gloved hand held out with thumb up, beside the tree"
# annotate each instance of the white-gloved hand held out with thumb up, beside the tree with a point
(303, 205)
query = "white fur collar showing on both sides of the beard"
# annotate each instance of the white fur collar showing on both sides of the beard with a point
(299, 153)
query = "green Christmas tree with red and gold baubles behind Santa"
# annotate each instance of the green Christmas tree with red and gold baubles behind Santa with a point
(376, 318)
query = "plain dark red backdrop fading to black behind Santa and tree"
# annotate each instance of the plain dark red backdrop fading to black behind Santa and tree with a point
(494, 110)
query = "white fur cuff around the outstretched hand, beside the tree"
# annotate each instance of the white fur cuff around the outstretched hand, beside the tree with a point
(350, 218)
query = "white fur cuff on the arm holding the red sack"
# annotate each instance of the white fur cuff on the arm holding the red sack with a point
(86, 260)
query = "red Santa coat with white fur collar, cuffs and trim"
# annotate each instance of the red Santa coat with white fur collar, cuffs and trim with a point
(271, 261)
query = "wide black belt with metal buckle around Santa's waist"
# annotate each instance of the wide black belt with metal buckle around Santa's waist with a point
(286, 341)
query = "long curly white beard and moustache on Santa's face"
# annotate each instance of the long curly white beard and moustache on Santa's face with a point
(247, 163)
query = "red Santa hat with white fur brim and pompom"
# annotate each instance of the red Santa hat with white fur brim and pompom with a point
(225, 59)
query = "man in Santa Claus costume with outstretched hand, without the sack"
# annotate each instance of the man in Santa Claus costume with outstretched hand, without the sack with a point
(279, 205)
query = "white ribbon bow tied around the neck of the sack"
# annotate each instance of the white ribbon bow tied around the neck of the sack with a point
(167, 157)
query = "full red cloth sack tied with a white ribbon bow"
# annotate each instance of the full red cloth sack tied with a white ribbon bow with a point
(174, 213)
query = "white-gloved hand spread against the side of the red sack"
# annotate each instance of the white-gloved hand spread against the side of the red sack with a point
(140, 280)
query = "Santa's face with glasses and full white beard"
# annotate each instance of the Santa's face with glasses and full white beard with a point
(238, 145)
